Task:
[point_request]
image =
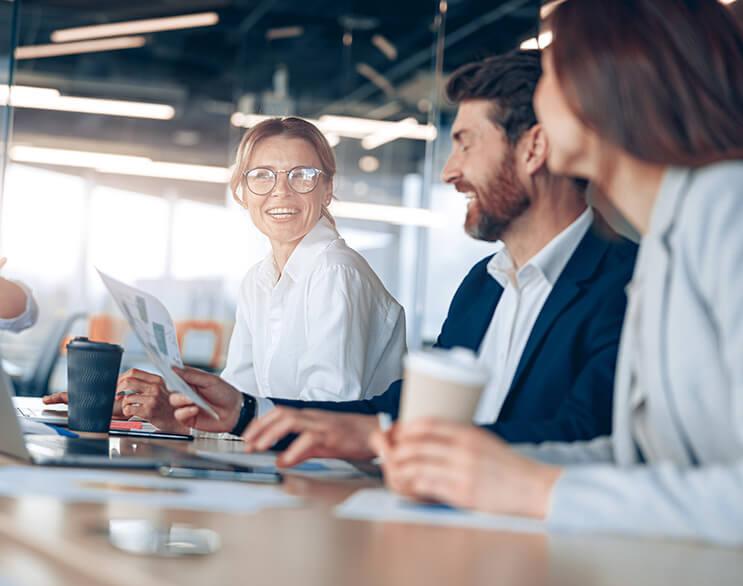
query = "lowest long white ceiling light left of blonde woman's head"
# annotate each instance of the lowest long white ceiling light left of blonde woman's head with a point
(120, 164)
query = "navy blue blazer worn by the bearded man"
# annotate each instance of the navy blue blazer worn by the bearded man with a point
(563, 386)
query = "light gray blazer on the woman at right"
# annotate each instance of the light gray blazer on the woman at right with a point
(674, 463)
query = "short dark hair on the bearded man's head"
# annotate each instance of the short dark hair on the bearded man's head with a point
(508, 81)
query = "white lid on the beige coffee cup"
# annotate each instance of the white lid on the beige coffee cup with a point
(457, 365)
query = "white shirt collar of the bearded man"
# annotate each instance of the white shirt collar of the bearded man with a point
(549, 261)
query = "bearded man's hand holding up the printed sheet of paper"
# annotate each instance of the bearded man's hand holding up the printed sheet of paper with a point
(225, 399)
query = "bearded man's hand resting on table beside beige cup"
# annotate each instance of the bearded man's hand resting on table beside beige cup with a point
(322, 434)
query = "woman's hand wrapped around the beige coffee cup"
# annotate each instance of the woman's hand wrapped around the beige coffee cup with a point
(464, 466)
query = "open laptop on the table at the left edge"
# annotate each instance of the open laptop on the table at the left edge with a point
(112, 452)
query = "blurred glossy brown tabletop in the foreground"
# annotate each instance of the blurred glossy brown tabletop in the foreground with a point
(308, 546)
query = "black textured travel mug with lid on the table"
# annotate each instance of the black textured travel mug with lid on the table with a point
(92, 373)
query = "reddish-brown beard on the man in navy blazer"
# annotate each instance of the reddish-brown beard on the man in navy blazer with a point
(503, 200)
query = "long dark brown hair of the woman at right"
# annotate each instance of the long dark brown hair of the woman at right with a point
(661, 79)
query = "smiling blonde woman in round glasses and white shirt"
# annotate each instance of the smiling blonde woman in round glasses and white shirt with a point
(313, 320)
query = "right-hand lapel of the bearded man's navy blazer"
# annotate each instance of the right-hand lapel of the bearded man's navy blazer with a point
(581, 266)
